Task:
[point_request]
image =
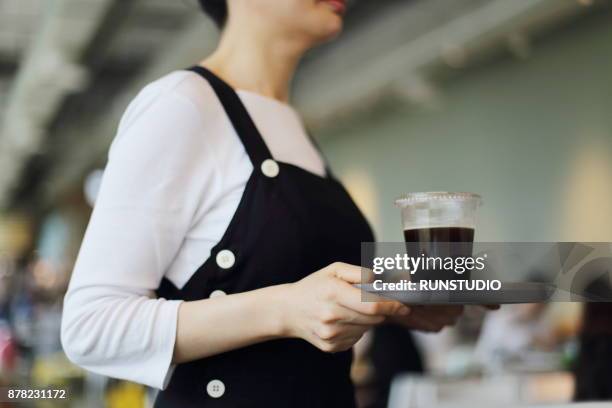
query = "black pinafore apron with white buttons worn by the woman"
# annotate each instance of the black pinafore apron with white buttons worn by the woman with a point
(288, 224)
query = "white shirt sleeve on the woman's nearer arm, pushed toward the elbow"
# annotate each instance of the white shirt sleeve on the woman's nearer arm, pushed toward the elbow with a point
(152, 186)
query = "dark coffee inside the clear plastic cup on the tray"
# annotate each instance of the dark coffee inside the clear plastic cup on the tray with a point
(440, 242)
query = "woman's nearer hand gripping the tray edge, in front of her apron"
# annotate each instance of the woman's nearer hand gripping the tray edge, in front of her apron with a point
(326, 310)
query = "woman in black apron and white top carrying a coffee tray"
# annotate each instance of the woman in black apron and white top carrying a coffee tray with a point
(218, 262)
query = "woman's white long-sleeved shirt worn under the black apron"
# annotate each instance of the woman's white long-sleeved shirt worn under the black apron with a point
(175, 174)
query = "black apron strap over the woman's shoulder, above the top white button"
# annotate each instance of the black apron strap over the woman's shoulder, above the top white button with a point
(246, 129)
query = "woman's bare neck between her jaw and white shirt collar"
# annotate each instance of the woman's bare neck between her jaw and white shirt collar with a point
(256, 62)
